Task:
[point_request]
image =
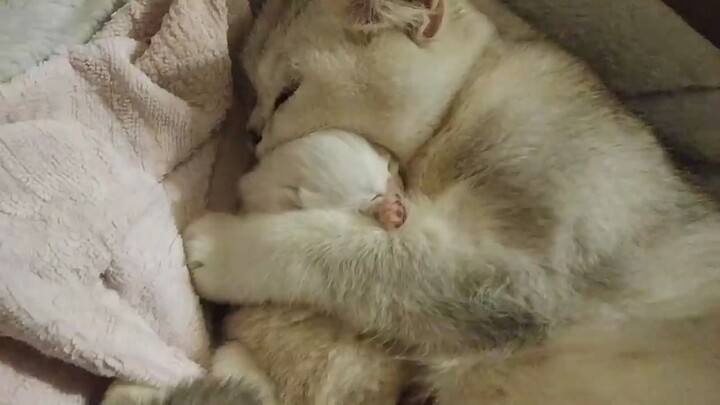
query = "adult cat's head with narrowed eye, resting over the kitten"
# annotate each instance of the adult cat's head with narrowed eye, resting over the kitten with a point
(384, 69)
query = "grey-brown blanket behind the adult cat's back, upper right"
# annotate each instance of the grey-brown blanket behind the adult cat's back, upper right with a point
(664, 71)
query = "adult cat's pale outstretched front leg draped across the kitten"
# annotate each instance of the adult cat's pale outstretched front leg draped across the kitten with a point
(338, 261)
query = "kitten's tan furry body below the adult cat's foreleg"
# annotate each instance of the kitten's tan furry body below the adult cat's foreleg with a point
(313, 359)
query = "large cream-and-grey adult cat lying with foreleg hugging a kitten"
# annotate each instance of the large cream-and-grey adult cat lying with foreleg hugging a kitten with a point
(551, 254)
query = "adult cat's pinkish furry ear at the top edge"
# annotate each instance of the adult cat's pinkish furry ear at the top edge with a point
(423, 18)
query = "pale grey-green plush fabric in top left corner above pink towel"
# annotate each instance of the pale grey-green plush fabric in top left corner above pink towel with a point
(32, 30)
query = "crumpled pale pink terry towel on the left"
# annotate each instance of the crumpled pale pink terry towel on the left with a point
(105, 152)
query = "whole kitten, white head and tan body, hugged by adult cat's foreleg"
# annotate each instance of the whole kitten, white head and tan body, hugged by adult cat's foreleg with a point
(312, 358)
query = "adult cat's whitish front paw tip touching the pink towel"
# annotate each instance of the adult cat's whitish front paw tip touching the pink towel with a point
(206, 253)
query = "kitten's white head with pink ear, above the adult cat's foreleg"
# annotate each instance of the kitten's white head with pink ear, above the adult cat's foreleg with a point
(327, 169)
